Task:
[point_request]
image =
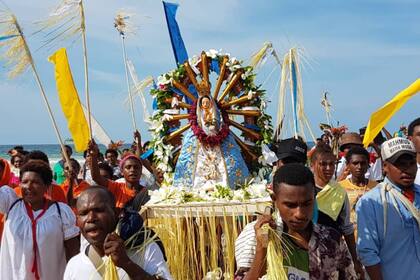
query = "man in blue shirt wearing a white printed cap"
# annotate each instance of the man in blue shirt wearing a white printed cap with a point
(388, 217)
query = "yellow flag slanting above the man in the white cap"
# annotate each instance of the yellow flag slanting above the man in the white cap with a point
(383, 115)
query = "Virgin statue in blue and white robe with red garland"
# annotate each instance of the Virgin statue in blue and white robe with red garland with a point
(209, 154)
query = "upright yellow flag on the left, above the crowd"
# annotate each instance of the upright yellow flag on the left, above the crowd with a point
(69, 100)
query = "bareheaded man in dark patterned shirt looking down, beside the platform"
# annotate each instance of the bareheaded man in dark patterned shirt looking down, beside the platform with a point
(313, 250)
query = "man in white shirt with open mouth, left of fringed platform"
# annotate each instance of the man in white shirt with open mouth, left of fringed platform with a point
(97, 220)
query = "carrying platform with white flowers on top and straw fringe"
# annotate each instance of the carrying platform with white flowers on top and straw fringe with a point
(199, 228)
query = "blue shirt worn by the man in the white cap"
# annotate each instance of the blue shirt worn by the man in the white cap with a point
(398, 252)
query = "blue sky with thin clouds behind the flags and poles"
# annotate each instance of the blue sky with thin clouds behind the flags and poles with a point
(362, 52)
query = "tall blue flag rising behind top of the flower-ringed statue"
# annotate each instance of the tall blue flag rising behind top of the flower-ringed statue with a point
(178, 46)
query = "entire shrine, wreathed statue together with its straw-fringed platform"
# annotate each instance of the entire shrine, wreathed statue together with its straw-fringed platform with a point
(210, 135)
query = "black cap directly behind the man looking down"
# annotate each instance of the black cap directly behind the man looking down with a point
(291, 148)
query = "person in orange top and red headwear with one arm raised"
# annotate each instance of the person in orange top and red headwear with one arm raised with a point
(128, 194)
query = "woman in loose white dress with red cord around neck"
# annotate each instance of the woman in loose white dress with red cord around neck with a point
(40, 235)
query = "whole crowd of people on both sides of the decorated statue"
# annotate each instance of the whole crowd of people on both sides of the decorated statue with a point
(355, 215)
